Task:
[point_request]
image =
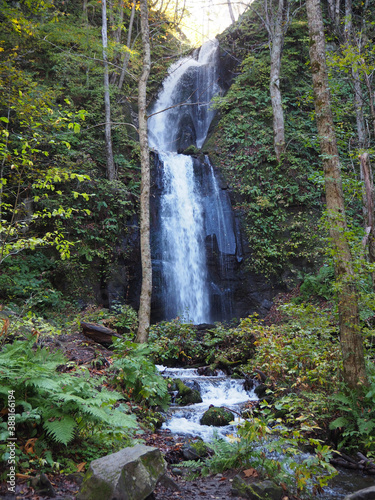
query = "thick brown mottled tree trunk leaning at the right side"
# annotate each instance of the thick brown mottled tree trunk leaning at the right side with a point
(350, 335)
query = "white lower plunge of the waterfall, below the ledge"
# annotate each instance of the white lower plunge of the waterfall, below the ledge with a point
(183, 240)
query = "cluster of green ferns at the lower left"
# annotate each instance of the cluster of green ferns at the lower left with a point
(61, 405)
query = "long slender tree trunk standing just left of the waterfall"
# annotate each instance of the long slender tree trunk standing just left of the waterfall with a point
(145, 300)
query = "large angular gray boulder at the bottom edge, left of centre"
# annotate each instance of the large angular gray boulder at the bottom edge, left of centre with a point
(129, 474)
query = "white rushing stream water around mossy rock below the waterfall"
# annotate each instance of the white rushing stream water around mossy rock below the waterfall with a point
(217, 391)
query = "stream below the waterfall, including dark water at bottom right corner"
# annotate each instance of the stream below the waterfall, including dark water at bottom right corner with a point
(221, 390)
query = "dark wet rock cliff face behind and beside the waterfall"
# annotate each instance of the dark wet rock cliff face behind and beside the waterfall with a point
(234, 290)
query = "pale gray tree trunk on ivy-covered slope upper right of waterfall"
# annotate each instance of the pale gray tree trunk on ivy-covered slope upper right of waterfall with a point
(277, 108)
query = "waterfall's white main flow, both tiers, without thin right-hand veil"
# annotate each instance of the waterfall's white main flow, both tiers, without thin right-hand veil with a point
(184, 266)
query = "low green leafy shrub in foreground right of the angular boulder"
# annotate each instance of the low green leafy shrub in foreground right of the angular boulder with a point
(273, 450)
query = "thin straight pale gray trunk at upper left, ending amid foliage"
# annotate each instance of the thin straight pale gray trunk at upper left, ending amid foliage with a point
(111, 170)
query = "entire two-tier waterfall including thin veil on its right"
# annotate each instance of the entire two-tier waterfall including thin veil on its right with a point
(192, 207)
